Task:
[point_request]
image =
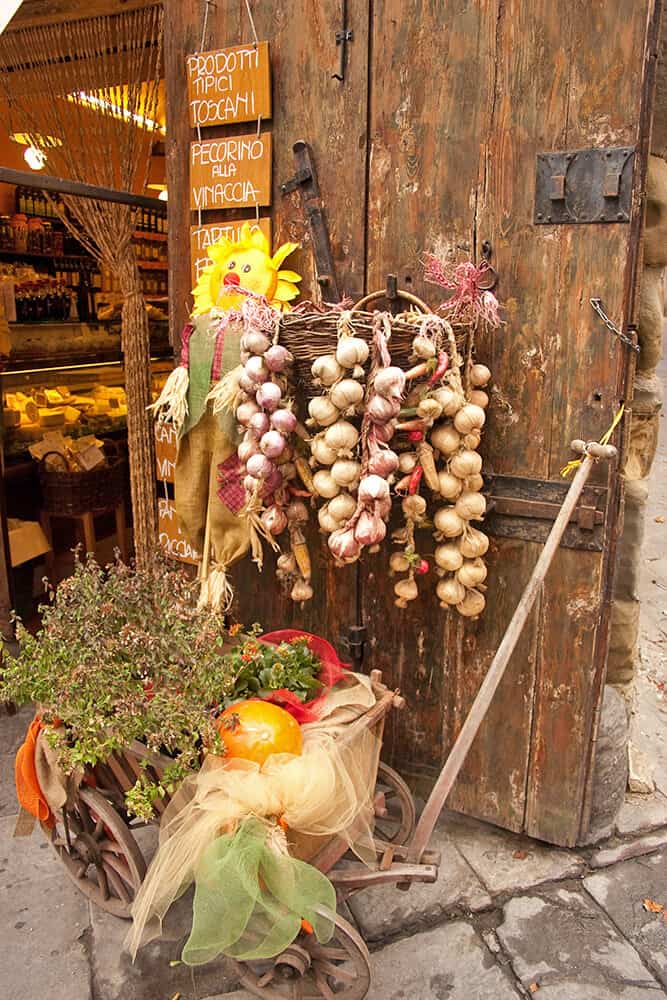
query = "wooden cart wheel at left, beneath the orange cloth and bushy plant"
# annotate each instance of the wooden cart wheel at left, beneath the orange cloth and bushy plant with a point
(99, 853)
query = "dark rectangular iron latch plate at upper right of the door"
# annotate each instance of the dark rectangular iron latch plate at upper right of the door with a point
(584, 185)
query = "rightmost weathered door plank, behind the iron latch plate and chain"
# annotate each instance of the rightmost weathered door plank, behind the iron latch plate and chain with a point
(604, 105)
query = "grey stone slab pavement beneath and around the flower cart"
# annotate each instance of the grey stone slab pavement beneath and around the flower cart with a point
(508, 917)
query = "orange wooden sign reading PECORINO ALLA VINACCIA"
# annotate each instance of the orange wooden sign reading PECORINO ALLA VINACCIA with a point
(232, 172)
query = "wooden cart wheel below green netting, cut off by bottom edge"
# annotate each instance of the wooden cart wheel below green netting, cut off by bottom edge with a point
(308, 970)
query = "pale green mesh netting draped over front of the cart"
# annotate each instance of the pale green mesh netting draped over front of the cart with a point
(250, 897)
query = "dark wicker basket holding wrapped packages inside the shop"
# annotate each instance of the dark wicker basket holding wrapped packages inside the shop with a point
(65, 492)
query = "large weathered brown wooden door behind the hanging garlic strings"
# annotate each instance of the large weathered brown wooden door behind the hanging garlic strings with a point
(430, 142)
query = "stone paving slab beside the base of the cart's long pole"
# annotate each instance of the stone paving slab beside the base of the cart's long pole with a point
(385, 910)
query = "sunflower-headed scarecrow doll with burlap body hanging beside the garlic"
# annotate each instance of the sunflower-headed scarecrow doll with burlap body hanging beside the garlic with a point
(243, 287)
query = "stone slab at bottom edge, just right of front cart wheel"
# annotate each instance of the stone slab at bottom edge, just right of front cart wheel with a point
(448, 963)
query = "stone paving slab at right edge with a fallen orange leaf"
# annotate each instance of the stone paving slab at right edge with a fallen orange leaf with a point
(620, 892)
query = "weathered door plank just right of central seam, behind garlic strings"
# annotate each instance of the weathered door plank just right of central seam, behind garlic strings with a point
(431, 80)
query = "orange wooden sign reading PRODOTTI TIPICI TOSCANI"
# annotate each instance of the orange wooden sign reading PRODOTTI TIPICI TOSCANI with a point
(229, 85)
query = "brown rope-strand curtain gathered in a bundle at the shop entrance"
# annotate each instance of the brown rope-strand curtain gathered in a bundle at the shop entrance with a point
(92, 84)
